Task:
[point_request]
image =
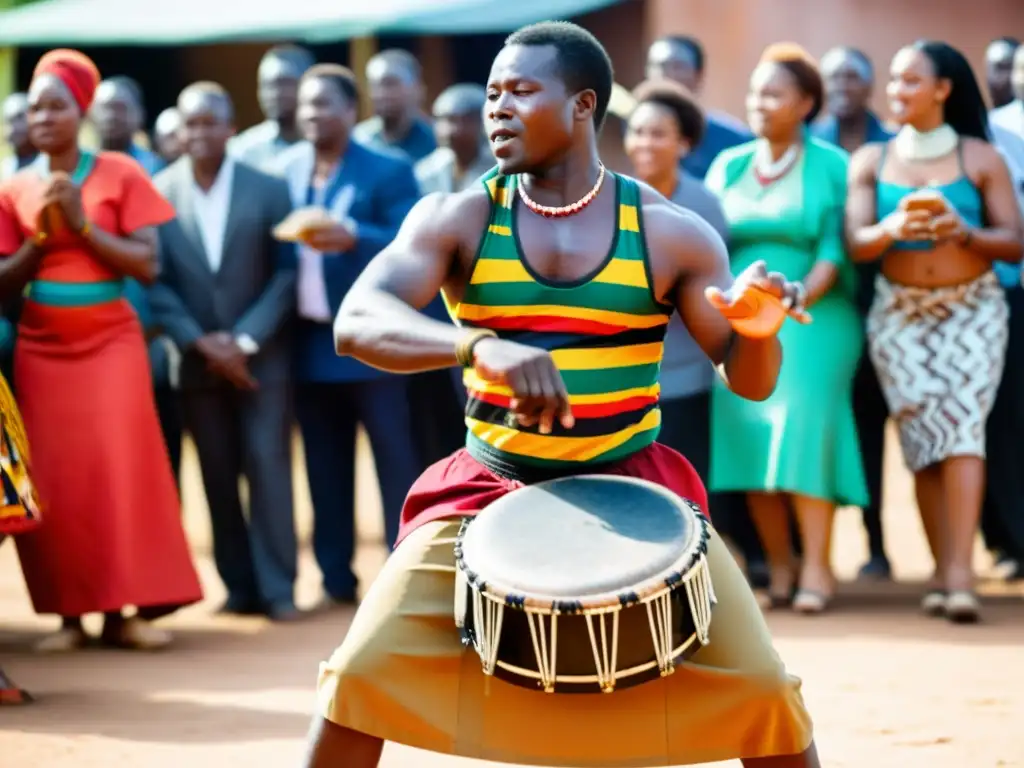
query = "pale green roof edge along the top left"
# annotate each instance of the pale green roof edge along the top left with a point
(194, 22)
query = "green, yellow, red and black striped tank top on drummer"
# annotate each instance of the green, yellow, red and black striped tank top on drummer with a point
(606, 333)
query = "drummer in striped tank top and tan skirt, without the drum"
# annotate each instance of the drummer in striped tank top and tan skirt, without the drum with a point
(563, 277)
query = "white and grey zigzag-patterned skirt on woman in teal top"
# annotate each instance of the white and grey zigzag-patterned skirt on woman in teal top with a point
(940, 356)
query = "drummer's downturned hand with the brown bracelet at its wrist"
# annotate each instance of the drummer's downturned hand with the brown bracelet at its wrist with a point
(539, 395)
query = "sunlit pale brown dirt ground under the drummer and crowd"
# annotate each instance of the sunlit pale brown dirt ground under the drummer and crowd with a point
(887, 688)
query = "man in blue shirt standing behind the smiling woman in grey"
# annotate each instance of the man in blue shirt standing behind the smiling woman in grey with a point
(682, 60)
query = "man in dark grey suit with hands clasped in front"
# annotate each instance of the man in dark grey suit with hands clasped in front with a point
(226, 296)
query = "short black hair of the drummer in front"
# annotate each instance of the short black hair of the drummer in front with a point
(583, 62)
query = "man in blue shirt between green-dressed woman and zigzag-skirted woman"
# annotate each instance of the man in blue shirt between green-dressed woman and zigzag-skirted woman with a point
(849, 123)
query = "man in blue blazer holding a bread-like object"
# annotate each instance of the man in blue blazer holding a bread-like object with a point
(368, 193)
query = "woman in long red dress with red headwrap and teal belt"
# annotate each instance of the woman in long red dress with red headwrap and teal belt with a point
(73, 226)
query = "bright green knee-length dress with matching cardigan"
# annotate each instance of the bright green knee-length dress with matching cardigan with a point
(803, 440)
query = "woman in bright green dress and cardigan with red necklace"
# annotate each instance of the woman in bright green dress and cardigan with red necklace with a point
(784, 196)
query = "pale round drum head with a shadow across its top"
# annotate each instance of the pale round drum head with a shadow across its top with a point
(579, 537)
